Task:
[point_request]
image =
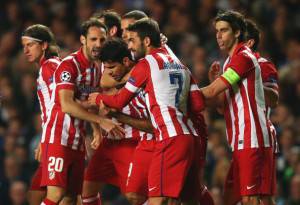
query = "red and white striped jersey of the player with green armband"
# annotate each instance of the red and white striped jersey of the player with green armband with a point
(245, 109)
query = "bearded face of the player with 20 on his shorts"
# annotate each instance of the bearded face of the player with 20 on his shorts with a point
(93, 41)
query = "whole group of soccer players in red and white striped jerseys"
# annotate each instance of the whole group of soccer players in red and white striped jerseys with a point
(145, 110)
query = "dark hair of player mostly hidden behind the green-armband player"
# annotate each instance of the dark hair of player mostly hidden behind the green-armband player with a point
(252, 32)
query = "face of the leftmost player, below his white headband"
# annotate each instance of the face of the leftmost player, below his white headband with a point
(33, 50)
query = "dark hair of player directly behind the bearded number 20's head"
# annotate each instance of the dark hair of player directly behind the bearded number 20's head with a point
(111, 19)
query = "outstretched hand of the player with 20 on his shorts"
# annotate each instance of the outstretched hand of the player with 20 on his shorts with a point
(112, 127)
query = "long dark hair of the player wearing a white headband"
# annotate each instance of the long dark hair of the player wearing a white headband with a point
(44, 34)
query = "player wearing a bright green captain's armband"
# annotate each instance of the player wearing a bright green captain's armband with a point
(244, 110)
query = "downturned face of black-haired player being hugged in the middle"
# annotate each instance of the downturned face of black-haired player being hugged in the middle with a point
(115, 69)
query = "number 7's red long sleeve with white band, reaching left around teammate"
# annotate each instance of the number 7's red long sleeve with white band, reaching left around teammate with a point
(137, 80)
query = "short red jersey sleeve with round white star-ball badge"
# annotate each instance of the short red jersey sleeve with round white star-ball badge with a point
(65, 75)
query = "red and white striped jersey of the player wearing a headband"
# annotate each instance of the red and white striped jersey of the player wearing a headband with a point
(45, 84)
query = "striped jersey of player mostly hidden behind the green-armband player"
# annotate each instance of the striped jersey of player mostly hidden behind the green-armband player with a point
(270, 79)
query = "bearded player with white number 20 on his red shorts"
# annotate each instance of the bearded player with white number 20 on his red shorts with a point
(63, 136)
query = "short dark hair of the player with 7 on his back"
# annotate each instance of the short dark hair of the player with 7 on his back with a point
(147, 27)
